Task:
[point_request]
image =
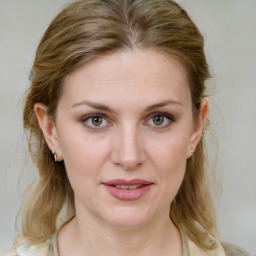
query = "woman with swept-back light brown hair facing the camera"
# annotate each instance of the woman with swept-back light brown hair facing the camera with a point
(115, 115)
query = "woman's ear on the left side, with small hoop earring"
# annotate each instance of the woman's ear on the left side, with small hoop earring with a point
(48, 128)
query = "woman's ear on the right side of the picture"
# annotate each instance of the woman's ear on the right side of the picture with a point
(198, 126)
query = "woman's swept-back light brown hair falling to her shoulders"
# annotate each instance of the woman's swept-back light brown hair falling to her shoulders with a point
(84, 30)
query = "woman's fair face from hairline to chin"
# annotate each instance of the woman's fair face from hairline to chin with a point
(125, 130)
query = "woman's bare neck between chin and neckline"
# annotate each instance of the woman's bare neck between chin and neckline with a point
(89, 236)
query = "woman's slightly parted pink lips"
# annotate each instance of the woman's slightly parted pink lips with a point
(127, 194)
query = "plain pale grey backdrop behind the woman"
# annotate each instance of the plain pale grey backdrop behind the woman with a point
(229, 28)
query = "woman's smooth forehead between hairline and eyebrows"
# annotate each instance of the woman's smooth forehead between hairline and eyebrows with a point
(147, 74)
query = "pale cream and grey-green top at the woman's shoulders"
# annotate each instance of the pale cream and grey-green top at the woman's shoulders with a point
(189, 249)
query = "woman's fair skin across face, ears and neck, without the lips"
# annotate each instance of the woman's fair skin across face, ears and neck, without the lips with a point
(134, 140)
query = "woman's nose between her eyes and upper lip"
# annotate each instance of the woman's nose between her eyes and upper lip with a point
(128, 148)
